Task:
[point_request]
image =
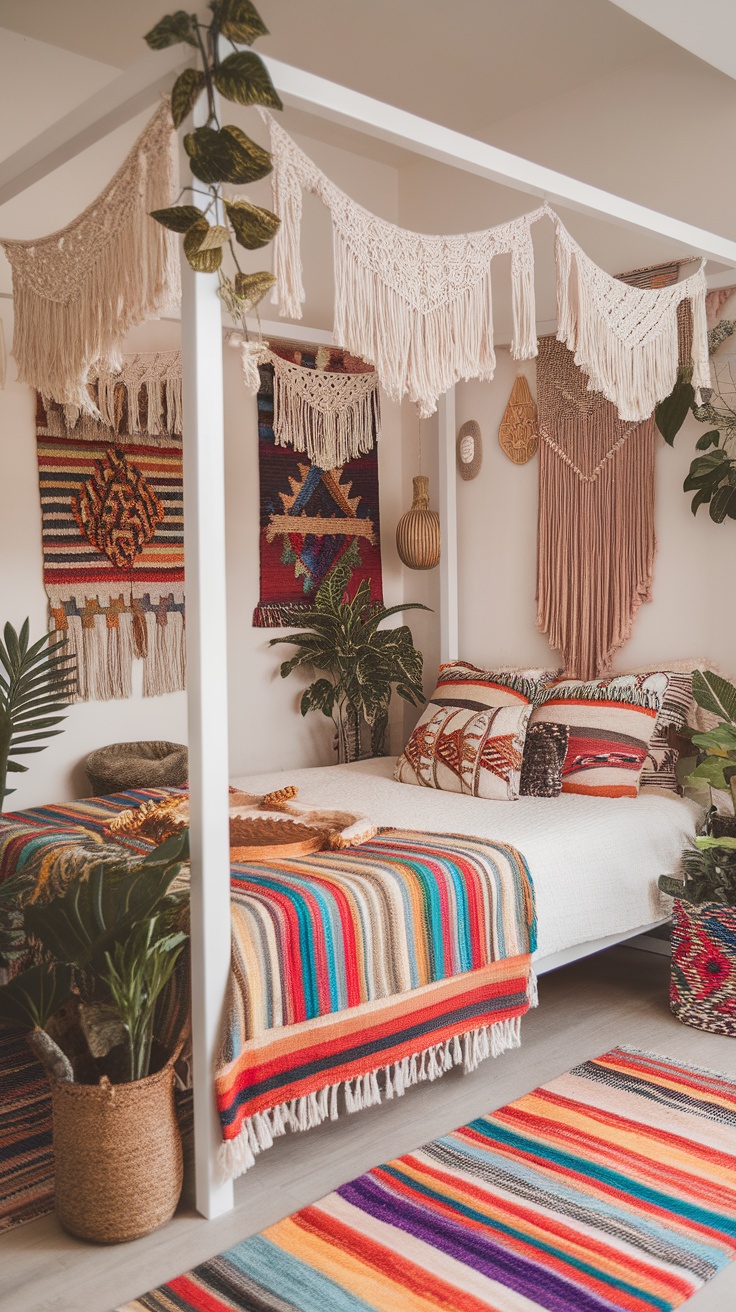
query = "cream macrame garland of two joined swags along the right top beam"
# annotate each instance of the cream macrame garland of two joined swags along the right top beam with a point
(419, 308)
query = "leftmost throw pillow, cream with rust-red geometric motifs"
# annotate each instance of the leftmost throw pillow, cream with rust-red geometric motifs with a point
(470, 738)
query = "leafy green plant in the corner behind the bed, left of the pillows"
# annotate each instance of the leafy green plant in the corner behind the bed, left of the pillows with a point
(363, 663)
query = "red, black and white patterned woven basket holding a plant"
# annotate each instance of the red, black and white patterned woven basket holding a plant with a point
(703, 990)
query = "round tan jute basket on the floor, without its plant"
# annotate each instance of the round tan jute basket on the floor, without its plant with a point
(117, 1157)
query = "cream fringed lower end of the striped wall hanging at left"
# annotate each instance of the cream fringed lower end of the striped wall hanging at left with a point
(106, 654)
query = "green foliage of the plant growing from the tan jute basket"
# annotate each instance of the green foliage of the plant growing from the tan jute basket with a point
(110, 947)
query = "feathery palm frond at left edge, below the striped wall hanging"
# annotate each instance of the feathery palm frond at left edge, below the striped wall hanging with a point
(36, 683)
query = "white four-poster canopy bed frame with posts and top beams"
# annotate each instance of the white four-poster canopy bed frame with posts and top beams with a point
(207, 624)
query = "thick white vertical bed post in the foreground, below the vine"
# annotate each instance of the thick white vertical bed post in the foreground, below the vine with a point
(207, 683)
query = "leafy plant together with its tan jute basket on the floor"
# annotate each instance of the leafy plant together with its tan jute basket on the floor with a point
(100, 954)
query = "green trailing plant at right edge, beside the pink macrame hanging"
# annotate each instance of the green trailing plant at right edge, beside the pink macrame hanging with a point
(713, 476)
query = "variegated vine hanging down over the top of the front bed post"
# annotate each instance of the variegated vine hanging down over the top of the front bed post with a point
(222, 154)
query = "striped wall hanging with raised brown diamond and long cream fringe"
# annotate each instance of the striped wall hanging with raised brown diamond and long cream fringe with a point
(113, 558)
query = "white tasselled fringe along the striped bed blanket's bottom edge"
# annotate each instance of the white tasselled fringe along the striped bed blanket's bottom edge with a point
(368, 1091)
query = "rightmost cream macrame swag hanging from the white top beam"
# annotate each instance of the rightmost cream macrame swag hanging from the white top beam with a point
(626, 339)
